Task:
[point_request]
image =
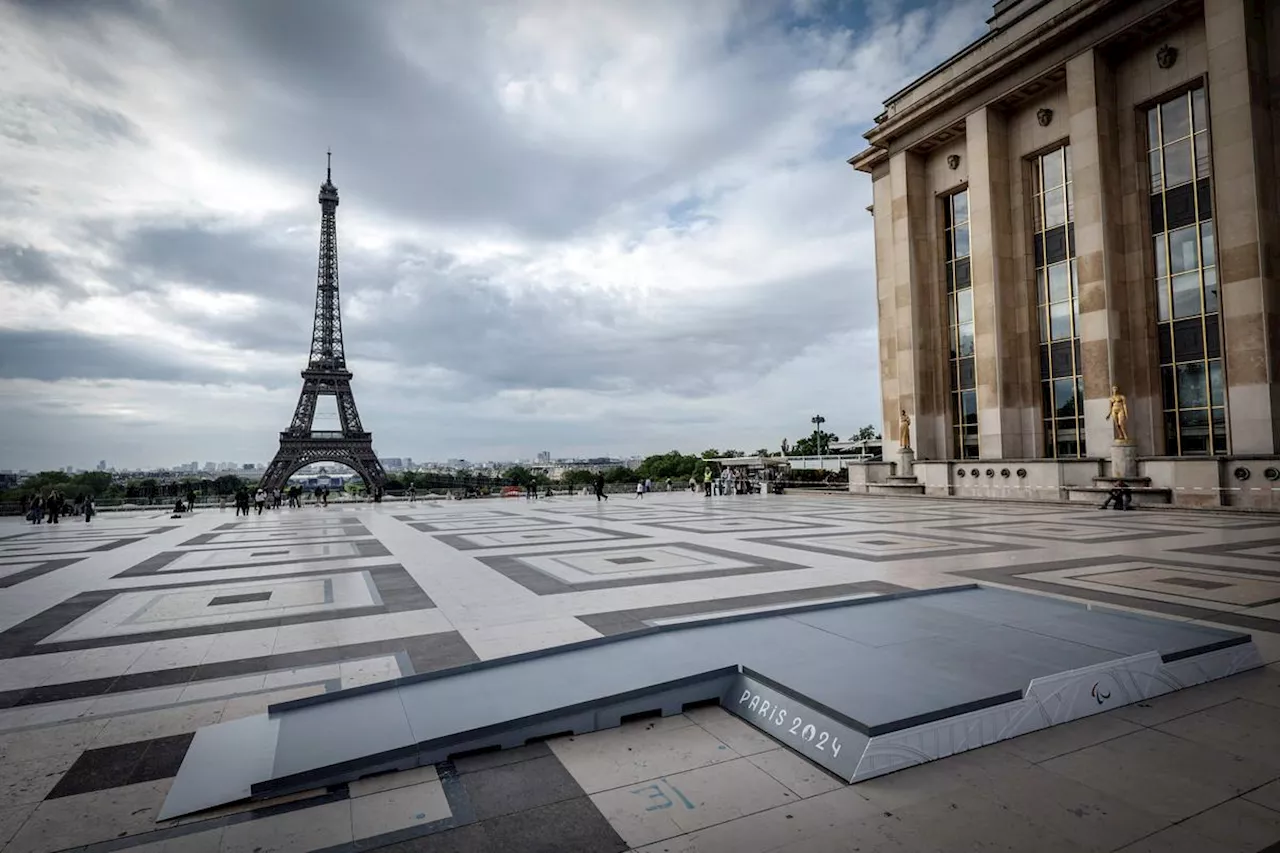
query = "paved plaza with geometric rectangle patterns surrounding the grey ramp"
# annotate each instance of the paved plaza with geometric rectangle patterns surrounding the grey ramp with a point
(121, 638)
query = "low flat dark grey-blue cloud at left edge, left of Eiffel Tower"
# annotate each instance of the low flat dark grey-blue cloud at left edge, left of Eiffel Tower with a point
(51, 357)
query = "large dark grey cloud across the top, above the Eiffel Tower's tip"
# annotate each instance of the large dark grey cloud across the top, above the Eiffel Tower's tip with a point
(298, 76)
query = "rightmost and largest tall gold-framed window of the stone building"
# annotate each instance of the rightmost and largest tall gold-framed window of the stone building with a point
(1190, 337)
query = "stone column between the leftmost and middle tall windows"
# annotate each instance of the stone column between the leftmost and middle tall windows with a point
(996, 289)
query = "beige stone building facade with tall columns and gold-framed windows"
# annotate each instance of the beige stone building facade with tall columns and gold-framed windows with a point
(1085, 198)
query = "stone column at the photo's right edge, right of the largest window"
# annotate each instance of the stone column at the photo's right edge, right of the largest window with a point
(1246, 220)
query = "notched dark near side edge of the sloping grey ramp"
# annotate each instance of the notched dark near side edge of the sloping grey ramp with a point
(583, 718)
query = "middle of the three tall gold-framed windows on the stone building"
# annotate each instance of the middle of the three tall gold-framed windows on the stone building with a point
(1058, 304)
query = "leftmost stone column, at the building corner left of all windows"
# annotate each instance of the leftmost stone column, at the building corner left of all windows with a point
(915, 305)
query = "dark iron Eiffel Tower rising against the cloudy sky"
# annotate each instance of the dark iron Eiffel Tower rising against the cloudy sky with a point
(326, 375)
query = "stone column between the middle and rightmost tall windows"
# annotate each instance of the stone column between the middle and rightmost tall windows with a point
(1107, 354)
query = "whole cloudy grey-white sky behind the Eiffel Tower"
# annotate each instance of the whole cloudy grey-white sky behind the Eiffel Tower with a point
(588, 227)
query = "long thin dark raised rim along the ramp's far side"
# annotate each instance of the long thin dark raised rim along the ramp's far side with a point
(292, 705)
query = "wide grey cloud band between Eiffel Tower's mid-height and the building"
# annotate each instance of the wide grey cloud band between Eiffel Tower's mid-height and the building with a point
(591, 340)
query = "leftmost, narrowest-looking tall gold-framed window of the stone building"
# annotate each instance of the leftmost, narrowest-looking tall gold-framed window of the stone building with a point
(964, 386)
